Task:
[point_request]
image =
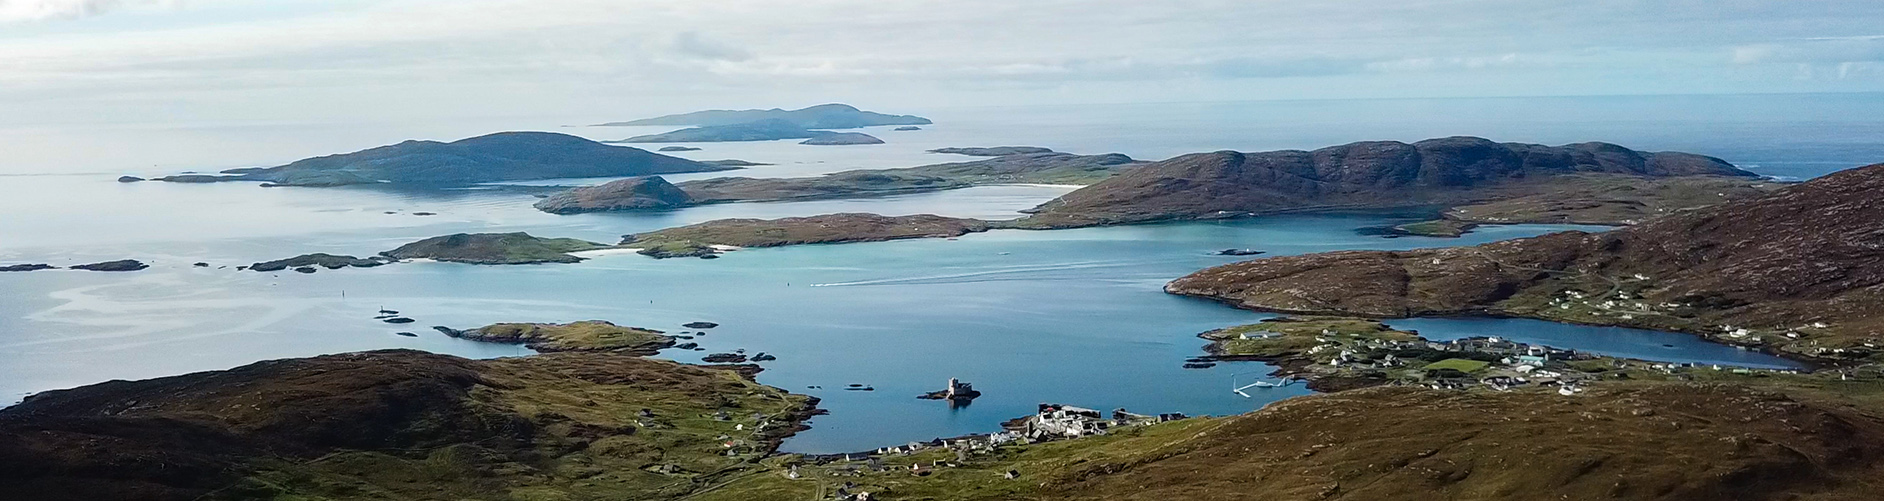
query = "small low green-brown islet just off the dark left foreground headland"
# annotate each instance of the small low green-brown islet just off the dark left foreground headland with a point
(589, 336)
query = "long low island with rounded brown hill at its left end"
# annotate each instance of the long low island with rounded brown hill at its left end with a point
(1048, 169)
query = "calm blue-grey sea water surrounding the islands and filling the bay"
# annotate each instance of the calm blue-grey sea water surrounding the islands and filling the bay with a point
(1028, 317)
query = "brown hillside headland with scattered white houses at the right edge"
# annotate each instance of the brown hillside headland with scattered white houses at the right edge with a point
(1796, 272)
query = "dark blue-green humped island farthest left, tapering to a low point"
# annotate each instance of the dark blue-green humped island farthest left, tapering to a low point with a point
(485, 159)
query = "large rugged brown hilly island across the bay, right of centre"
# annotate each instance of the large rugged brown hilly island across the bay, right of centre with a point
(1450, 172)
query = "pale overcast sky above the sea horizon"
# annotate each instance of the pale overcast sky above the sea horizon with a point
(97, 61)
